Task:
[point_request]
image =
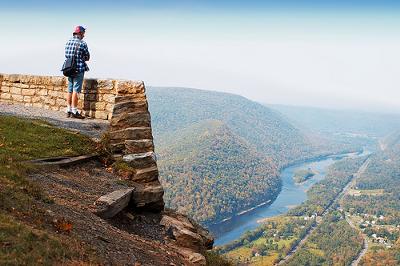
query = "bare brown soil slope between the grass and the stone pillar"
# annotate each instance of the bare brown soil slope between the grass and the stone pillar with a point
(130, 238)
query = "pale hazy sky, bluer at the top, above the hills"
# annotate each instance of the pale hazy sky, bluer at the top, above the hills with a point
(333, 54)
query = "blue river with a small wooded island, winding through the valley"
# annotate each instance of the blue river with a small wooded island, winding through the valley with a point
(291, 195)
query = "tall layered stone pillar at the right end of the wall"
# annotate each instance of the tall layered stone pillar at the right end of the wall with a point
(131, 141)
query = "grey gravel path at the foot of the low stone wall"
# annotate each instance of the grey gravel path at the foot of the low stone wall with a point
(90, 127)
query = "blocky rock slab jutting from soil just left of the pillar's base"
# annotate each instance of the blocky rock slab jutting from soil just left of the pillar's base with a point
(111, 204)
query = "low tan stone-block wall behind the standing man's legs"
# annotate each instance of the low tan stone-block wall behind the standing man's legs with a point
(48, 92)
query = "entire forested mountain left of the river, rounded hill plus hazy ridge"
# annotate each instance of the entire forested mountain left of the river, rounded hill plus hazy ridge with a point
(220, 153)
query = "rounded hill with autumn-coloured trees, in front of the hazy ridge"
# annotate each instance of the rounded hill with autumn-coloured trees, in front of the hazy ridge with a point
(209, 172)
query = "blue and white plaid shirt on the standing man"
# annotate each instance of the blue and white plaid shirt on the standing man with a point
(82, 54)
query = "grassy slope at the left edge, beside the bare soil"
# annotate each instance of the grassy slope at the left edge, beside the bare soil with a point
(26, 235)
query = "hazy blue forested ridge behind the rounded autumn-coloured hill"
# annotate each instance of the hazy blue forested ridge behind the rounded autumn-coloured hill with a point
(267, 131)
